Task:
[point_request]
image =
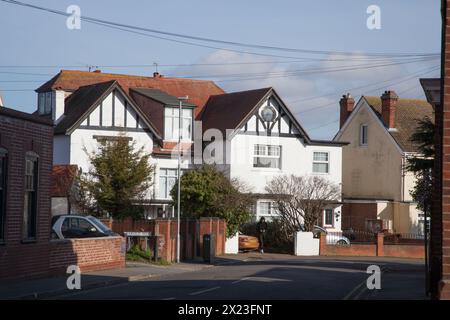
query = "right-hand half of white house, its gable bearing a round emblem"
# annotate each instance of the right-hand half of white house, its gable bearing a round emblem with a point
(265, 140)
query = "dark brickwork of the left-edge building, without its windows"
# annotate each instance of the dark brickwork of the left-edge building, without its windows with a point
(20, 133)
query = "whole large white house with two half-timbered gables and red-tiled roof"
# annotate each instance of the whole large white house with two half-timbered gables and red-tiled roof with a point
(263, 138)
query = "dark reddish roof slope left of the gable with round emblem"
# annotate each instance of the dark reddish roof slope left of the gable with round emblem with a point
(226, 111)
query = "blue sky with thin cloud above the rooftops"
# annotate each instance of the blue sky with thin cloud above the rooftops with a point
(33, 38)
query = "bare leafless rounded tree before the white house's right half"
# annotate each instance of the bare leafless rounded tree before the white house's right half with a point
(301, 200)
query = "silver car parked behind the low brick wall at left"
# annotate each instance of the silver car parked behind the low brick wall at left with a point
(75, 226)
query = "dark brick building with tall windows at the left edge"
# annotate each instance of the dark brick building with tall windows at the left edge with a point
(26, 147)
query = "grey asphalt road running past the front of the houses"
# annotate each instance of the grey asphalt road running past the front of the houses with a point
(272, 276)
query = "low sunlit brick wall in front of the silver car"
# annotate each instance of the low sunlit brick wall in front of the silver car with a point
(89, 254)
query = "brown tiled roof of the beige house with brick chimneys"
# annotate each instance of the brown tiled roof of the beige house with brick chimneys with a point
(408, 113)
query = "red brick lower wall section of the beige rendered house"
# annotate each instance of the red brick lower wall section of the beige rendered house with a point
(354, 215)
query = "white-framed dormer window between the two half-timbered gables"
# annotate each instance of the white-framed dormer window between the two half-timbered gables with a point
(171, 124)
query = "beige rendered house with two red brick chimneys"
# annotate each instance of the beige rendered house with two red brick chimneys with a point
(376, 185)
